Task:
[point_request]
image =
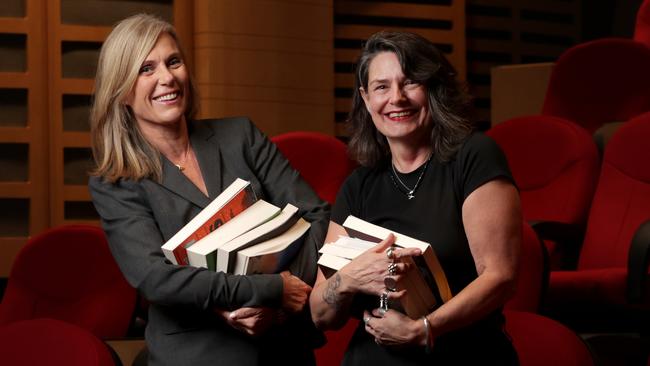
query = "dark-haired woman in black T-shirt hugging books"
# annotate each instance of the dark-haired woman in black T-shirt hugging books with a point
(425, 173)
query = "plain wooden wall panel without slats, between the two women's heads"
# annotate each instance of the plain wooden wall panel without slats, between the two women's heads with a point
(269, 60)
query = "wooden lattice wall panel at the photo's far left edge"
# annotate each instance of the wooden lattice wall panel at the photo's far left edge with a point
(23, 134)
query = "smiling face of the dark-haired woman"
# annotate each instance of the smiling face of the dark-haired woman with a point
(398, 106)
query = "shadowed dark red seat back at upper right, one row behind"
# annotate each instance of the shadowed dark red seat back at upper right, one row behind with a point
(601, 81)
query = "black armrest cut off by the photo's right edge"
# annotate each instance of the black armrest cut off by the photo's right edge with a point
(637, 263)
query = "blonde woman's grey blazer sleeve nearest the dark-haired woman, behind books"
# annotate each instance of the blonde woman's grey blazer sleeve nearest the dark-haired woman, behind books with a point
(282, 184)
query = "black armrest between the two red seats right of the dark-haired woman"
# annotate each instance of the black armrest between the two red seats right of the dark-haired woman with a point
(568, 237)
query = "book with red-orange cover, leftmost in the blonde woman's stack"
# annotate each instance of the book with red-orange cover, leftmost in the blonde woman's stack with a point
(232, 201)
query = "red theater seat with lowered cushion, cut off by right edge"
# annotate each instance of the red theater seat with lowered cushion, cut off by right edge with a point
(607, 290)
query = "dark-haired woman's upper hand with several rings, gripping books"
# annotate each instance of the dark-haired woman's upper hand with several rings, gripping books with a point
(368, 272)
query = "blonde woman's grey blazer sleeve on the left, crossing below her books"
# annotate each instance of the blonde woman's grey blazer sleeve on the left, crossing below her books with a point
(135, 242)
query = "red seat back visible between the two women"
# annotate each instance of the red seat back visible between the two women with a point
(321, 159)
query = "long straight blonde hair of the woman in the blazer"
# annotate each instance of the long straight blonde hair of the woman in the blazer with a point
(119, 148)
